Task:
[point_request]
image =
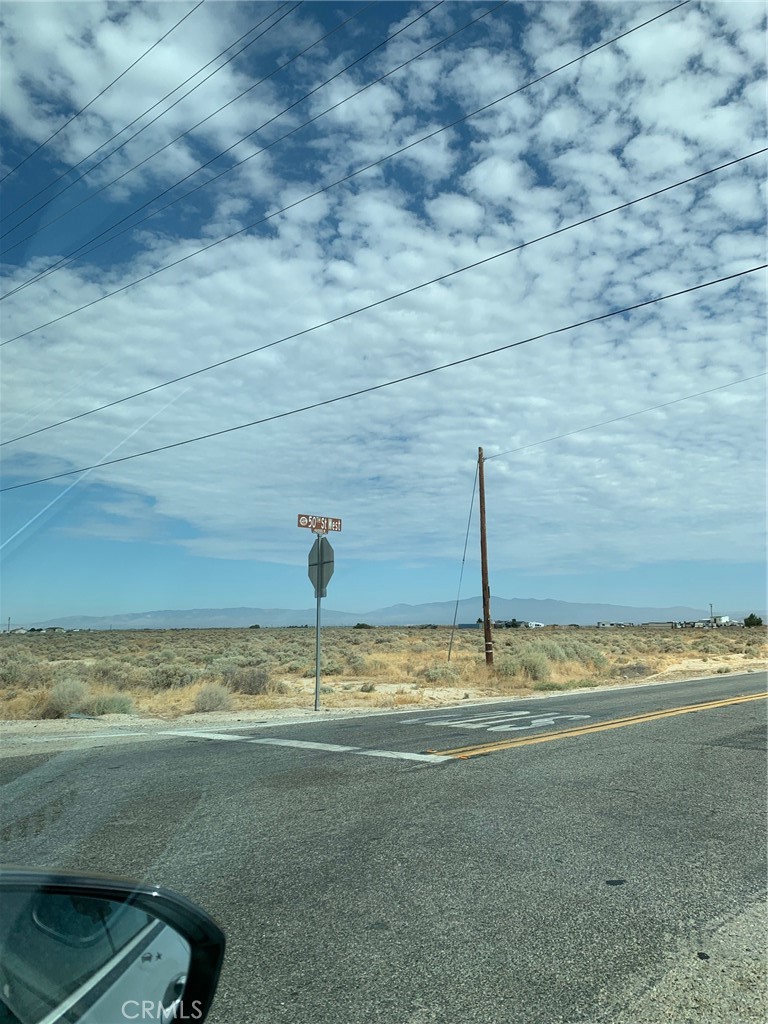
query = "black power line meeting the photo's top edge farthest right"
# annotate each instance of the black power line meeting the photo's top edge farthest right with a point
(350, 177)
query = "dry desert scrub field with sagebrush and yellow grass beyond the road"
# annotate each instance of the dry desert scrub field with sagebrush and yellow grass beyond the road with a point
(168, 673)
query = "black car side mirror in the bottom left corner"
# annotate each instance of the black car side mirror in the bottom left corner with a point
(96, 950)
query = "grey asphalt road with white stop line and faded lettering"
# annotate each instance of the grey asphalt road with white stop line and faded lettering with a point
(550, 882)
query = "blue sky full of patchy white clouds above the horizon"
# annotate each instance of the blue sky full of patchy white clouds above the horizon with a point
(187, 185)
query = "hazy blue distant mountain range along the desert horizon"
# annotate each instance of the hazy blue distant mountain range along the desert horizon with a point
(439, 614)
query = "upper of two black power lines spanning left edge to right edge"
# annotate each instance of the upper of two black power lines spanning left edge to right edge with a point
(378, 303)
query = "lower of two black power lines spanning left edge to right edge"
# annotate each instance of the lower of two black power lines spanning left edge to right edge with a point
(392, 383)
